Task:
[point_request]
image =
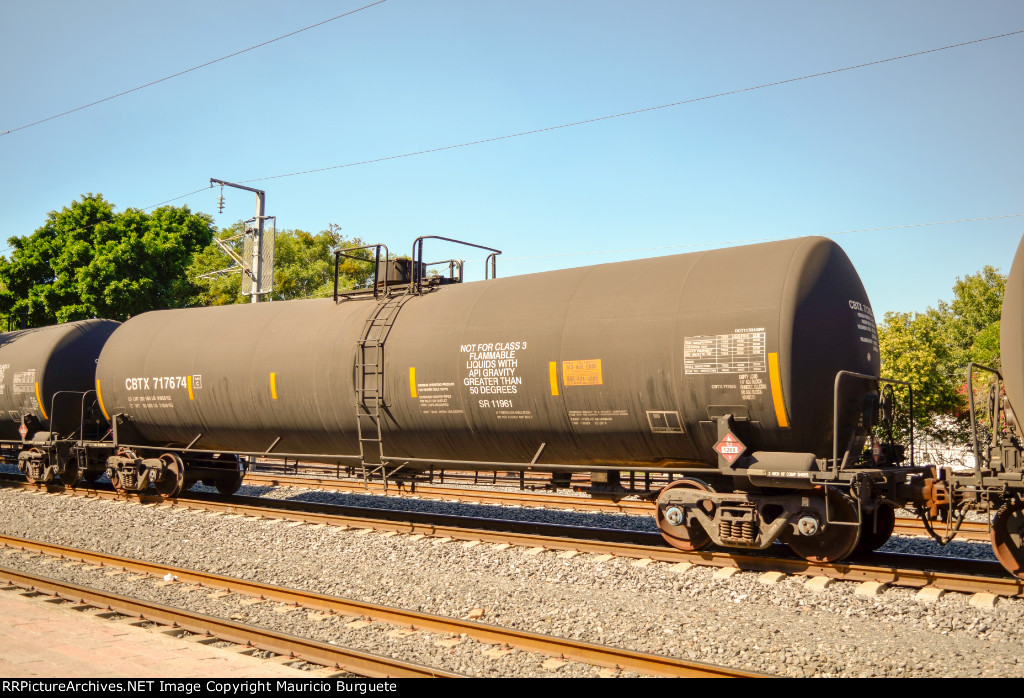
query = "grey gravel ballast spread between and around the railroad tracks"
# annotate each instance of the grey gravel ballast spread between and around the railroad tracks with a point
(787, 629)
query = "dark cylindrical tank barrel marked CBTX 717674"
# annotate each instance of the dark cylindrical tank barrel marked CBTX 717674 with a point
(586, 361)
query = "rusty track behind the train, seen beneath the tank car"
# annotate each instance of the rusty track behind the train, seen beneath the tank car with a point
(970, 531)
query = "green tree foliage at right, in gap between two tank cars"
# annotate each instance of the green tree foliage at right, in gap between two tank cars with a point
(931, 352)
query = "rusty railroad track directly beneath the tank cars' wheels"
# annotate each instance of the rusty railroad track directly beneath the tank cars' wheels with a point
(951, 575)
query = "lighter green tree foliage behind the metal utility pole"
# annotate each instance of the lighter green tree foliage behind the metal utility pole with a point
(304, 268)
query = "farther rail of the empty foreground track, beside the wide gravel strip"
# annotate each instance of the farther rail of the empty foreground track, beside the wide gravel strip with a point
(600, 656)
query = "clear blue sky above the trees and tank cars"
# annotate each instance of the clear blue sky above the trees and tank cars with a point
(931, 139)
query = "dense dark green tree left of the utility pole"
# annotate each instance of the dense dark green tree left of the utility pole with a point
(89, 261)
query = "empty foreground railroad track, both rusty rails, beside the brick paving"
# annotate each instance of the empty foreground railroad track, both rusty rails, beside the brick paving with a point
(324, 653)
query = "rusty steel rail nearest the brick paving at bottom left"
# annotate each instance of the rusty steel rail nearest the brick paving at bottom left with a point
(363, 664)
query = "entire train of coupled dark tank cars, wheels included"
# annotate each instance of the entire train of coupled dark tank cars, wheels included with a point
(749, 376)
